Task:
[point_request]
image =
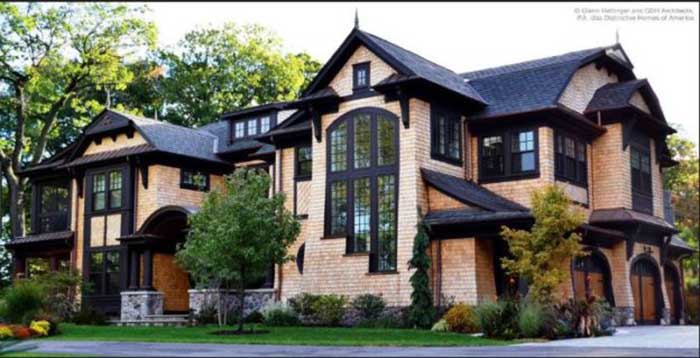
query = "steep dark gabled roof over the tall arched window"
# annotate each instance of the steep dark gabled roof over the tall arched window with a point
(403, 61)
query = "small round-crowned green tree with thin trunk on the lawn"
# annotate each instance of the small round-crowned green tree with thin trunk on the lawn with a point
(238, 233)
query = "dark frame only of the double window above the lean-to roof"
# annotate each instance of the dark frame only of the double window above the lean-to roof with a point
(507, 155)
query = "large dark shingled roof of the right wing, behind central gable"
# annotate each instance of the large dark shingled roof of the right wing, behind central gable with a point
(532, 85)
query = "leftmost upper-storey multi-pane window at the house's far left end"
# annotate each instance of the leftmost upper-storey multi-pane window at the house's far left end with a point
(53, 202)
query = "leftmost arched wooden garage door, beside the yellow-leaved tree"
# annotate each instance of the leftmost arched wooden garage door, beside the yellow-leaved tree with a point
(592, 277)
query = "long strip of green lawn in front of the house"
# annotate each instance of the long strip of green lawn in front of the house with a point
(278, 335)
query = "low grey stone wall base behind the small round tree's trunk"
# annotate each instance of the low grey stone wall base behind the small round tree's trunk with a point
(254, 299)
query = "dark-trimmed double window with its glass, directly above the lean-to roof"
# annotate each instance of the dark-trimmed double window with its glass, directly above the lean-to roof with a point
(508, 154)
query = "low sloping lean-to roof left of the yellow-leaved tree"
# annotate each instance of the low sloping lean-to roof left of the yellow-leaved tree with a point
(469, 192)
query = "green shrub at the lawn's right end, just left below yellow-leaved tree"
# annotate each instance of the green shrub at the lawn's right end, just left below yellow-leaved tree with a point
(497, 319)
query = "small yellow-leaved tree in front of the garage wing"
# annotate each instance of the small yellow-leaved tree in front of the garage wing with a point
(541, 254)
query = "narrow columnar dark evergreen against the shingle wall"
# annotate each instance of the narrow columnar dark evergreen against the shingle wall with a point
(421, 312)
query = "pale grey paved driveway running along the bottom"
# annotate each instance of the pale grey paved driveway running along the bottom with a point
(629, 341)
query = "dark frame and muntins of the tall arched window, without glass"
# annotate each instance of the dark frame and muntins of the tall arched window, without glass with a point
(351, 174)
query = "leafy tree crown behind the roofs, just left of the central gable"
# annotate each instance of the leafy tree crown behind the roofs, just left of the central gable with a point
(214, 70)
